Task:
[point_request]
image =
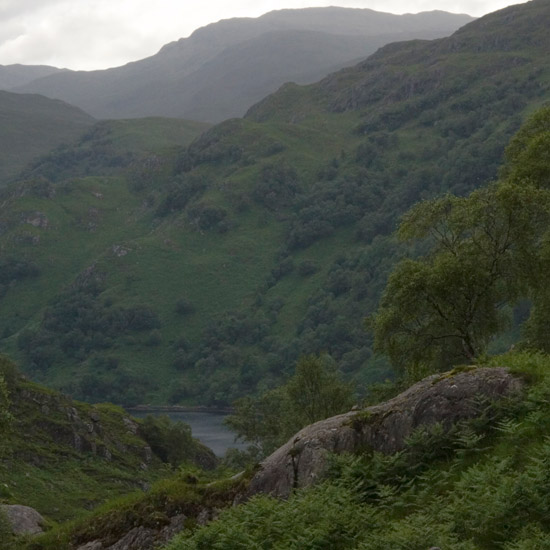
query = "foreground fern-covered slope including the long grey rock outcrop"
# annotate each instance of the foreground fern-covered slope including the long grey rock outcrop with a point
(459, 461)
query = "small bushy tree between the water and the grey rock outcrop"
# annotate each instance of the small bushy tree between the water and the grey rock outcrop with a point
(314, 392)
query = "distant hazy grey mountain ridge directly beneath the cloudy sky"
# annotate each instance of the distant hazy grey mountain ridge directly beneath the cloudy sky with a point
(223, 68)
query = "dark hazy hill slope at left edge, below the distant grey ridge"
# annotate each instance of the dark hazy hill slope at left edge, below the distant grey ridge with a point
(32, 125)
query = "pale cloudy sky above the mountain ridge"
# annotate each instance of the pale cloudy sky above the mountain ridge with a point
(97, 34)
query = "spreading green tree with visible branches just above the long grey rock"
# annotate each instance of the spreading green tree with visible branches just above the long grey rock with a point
(443, 308)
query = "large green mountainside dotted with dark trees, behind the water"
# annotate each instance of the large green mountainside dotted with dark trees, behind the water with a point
(200, 274)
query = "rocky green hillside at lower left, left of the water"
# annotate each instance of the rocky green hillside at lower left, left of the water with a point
(63, 457)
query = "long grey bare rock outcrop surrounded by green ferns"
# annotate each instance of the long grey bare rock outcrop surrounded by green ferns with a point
(444, 399)
